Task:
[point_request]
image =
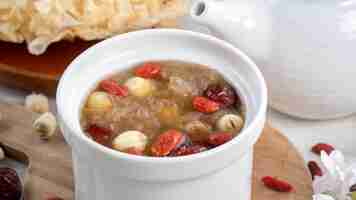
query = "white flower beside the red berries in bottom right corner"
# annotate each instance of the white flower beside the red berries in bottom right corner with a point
(337, 178)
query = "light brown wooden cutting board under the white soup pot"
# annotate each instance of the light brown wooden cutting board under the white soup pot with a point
(50, 165)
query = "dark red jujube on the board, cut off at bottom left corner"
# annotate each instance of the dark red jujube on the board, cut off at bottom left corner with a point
(10, 184)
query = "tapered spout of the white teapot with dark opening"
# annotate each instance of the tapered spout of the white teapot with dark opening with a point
(244, 23)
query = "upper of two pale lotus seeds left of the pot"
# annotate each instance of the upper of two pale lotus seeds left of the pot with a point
(37, 103)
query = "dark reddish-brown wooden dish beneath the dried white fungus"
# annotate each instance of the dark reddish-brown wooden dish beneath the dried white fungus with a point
(22, 70)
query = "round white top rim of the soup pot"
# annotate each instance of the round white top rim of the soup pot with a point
(256, 119)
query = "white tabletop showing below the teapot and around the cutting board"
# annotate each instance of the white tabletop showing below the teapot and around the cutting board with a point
(302, 133)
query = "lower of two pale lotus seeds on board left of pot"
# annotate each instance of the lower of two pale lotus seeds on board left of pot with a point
(45, 125)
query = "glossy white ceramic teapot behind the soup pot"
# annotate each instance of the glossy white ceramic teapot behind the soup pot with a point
(306, 49)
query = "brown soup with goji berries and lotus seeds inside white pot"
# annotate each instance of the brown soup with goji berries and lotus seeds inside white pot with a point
(163, 109)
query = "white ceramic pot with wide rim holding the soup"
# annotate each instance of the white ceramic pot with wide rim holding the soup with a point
(102, 173)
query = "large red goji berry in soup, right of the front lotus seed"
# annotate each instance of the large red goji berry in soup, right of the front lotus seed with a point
(166, 143)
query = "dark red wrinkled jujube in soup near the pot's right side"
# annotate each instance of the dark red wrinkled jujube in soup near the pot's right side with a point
(223, 95)
